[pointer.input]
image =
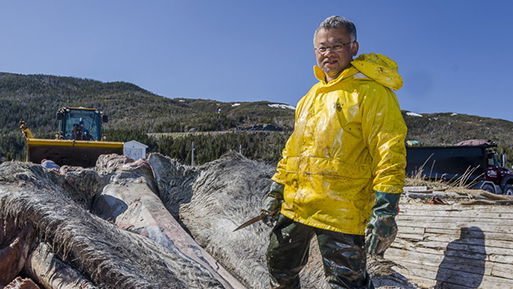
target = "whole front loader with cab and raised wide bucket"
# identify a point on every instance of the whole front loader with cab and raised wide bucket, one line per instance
(78, 140)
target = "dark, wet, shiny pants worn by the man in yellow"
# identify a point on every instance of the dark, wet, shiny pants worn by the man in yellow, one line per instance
(343, 255)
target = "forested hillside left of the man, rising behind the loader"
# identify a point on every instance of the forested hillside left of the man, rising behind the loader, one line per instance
(36, 99)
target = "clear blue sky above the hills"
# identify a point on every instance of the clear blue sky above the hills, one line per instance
(454, 56)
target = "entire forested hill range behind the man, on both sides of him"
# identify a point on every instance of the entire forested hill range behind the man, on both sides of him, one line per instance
(36, 99)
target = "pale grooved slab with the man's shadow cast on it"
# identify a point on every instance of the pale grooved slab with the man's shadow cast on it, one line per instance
(454, 246)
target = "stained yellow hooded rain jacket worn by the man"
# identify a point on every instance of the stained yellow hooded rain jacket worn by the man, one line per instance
(348, 141)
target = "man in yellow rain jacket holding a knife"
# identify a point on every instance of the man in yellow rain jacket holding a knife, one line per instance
(343, 166)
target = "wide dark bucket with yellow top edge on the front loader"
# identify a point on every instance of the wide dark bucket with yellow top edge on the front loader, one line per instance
(70, 152)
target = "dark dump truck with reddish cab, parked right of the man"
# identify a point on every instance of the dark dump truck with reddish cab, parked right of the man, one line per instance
(472, 161)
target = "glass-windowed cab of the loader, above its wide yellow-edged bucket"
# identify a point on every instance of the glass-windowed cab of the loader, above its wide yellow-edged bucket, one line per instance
(80, 124)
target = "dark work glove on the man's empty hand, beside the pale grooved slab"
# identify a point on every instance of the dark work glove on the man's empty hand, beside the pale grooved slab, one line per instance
(382, 228)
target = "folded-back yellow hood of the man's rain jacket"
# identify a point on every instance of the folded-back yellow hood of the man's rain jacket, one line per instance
(380, 68)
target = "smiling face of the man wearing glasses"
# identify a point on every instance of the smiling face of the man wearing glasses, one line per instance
(334, 62)
